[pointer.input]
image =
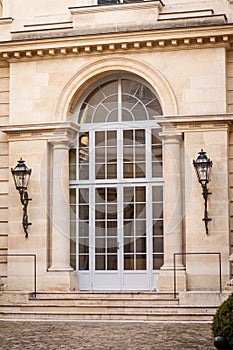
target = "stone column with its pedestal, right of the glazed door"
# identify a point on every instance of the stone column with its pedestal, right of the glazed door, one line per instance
(173, 239)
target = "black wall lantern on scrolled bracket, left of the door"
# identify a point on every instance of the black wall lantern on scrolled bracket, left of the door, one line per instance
(21, 175)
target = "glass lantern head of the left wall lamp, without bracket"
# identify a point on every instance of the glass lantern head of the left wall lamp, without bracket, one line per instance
(21, 174)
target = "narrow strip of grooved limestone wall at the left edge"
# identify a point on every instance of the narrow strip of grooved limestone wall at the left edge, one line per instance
(4, 170)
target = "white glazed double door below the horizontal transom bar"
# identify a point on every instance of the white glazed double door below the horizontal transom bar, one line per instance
(115, 240)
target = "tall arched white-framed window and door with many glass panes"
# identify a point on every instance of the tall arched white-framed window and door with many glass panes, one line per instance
(116, 187)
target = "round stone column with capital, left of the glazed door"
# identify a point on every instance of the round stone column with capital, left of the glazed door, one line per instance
(60, 212)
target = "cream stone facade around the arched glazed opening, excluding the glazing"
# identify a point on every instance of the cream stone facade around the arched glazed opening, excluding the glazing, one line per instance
(50, 55)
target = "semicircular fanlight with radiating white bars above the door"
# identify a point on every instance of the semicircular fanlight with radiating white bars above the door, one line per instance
(119, 100)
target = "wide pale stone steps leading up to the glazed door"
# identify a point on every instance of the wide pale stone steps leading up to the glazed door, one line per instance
(81, 306)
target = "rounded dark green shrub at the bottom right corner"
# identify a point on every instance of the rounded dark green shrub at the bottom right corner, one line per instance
(223, 321)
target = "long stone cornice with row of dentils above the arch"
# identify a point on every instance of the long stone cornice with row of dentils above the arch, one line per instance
(119, 42)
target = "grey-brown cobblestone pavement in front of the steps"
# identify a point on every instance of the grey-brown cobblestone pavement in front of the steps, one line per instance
(103, 335)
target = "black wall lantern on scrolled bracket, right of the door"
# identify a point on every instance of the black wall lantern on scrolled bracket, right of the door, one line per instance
(203, 167)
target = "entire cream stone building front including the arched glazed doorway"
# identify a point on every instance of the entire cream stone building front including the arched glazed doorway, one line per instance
(109, 102)
